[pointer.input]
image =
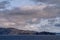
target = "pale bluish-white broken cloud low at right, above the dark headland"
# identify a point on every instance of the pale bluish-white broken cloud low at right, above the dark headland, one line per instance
(46, 25)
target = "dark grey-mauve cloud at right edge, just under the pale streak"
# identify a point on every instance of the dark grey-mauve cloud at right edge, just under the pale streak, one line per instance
(52, 10)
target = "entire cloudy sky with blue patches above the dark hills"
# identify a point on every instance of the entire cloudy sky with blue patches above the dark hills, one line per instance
(33, 15)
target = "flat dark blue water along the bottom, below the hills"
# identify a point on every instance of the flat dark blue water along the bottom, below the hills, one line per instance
(29, 37)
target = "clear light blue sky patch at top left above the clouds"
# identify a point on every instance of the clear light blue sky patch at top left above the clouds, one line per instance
(19, 3)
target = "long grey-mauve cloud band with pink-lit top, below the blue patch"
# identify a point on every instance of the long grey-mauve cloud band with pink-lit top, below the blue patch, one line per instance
(35, 11)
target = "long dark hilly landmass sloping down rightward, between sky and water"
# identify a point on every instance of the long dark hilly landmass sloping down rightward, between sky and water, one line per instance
(12, 31)
